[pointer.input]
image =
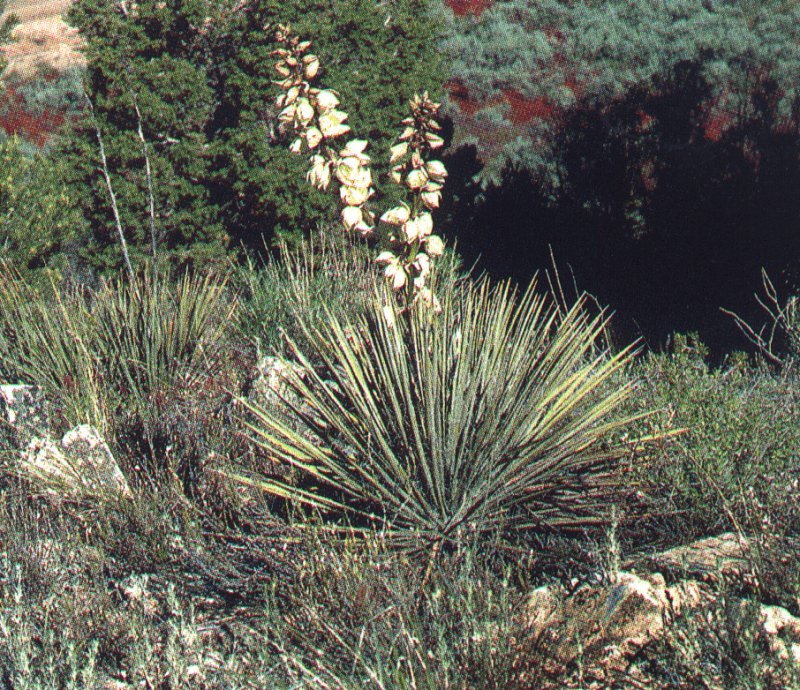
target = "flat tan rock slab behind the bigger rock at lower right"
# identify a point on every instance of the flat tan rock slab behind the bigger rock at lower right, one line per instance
(725, 556)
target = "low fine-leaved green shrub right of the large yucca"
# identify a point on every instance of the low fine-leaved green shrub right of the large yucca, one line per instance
(738, 456)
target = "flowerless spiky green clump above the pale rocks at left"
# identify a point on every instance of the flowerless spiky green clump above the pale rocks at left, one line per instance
(117, 349)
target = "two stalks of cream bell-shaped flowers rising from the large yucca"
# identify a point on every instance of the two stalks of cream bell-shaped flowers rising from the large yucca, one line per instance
(313, 115)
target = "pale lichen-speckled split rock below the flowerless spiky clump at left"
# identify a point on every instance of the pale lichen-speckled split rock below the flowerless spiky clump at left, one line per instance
(81, 465)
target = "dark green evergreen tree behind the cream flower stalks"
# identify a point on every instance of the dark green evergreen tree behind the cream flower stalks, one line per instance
(201, 75)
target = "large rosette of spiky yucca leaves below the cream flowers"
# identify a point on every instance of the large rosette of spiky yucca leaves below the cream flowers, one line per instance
(441, 430)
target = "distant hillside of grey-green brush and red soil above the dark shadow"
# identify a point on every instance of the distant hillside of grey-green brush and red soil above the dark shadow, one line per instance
(524, 64)
